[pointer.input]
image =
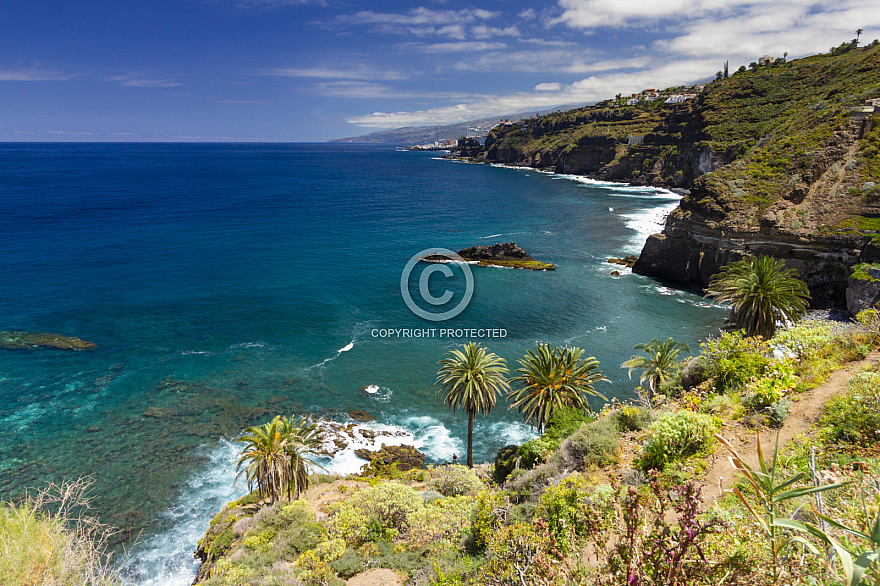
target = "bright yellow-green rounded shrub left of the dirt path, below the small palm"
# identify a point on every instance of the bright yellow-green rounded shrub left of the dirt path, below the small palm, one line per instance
(675, 436)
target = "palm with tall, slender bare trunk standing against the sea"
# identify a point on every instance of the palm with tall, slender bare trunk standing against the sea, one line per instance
(471, 380)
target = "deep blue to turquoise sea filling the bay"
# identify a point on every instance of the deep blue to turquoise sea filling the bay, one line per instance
(224, 284)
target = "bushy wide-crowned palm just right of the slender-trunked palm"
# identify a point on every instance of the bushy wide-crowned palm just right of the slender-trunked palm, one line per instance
(553, 378)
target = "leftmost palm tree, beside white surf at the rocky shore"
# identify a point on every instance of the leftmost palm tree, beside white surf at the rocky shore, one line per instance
(267, 460)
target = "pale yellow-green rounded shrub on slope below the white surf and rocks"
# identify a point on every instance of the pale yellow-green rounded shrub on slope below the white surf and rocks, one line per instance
(377, 511)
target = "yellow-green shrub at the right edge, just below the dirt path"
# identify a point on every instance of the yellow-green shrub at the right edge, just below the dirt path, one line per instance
(854, 418)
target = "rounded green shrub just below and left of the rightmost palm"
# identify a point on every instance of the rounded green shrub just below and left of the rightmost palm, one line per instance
(733, 360)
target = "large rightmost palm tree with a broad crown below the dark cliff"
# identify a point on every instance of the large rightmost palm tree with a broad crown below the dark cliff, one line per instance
(760, 292)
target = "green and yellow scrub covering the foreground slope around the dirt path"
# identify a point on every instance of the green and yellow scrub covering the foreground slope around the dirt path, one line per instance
(609, 498)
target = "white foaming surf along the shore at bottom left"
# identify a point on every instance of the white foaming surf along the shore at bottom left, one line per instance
(166, 559)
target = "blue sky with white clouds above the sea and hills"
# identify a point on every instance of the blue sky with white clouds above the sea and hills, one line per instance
(301, 70)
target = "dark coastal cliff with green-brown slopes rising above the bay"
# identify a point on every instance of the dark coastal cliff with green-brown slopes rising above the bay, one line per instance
(783, 160)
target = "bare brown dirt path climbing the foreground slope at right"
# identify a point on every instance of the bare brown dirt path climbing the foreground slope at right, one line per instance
(805, 411)
